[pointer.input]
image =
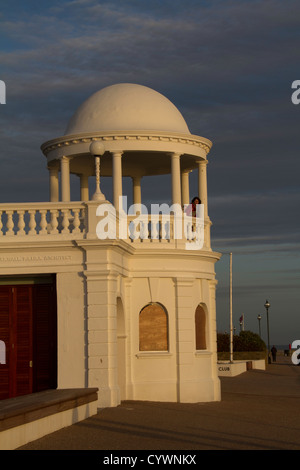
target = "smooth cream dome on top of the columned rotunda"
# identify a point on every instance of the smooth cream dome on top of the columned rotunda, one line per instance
(127, 107)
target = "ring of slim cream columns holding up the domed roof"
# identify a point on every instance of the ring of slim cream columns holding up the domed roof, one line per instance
(180, 181)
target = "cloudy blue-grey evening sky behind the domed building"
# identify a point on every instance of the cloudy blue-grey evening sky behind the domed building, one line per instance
(228, 66)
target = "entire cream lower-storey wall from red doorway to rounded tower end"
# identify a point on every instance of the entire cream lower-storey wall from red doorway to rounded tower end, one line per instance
(89, 333)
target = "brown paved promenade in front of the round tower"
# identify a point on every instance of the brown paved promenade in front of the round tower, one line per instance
(259, 411)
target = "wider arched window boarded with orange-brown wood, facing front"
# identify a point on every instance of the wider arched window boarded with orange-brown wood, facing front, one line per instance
(153, 328)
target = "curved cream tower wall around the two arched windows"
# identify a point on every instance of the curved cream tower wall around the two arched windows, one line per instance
(182, 373)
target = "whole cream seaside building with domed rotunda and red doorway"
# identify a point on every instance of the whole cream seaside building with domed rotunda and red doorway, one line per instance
(135, 318)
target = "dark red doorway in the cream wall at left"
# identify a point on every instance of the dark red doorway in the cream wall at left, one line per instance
(28, 329)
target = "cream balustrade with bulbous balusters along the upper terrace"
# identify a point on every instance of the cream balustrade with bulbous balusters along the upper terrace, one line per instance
(78, 220)
